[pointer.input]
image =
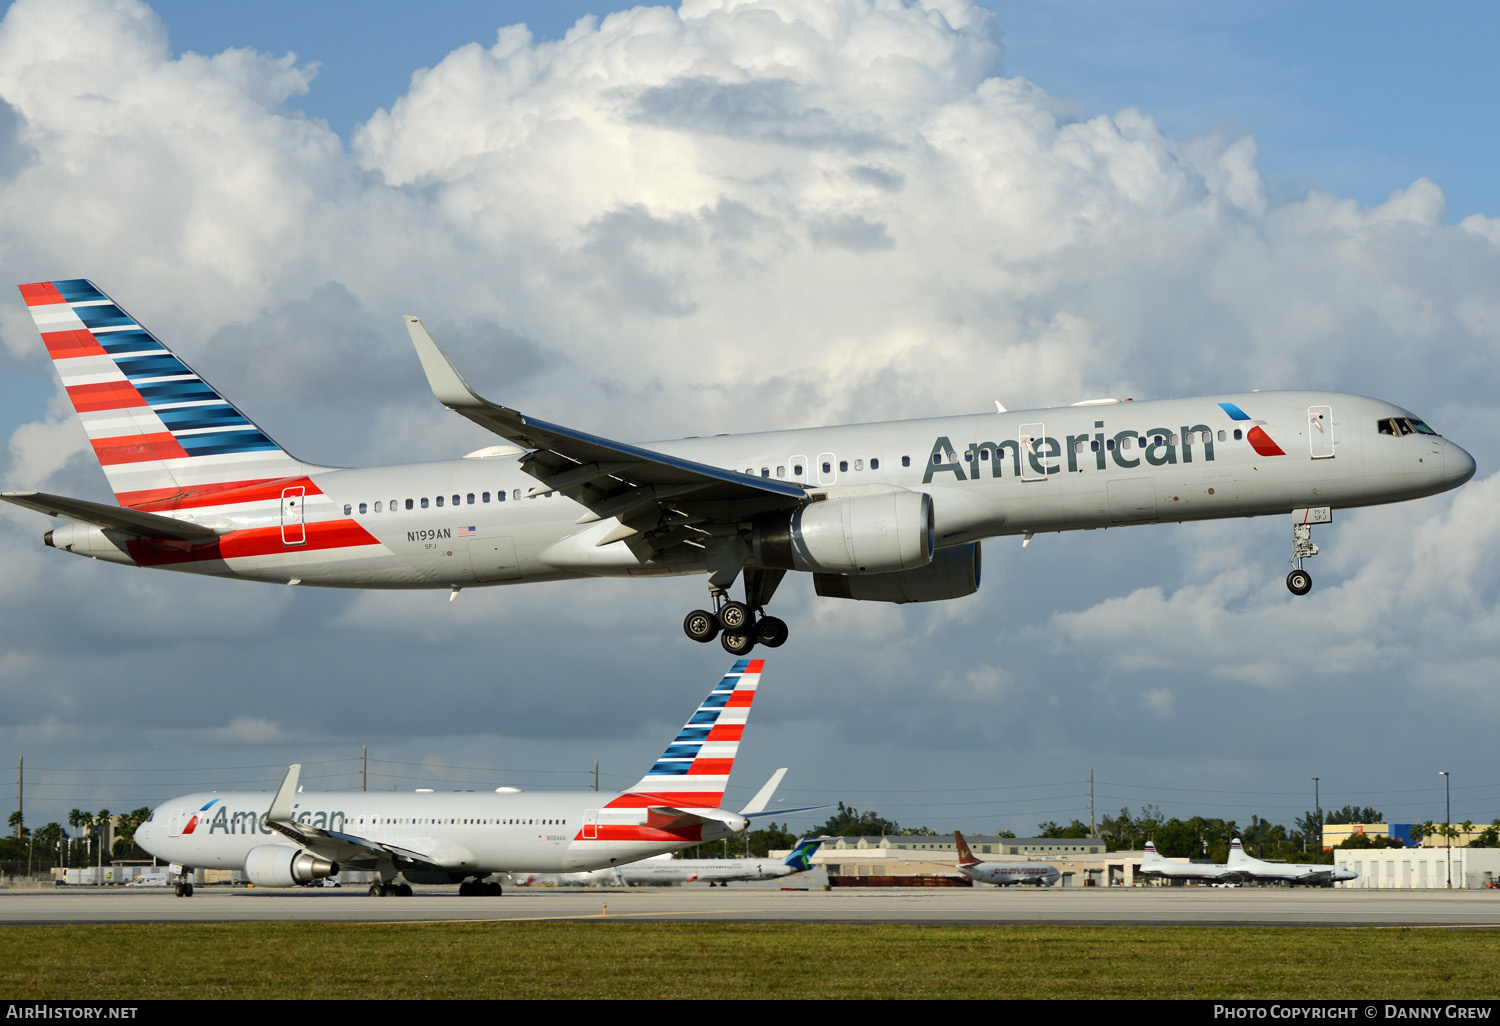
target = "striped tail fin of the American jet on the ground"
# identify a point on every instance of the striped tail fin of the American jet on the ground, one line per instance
(695, 767)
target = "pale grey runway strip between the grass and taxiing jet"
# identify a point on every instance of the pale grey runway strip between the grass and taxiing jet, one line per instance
(1121, 907)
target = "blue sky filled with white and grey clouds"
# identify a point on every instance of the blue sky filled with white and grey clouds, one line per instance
(889, 224)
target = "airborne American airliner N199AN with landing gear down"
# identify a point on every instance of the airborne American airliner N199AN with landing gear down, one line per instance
(886, 512)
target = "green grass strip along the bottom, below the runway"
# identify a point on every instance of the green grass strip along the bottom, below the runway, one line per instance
(740, 961)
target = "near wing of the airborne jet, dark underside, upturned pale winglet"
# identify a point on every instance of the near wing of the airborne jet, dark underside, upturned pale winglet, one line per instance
(646, 490)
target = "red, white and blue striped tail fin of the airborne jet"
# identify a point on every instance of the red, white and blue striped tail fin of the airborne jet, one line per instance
(163, 434)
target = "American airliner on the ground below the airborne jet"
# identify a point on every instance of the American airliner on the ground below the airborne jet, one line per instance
(458, 838)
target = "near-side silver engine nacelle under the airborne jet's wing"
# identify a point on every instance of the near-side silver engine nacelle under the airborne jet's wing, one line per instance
(877, 533)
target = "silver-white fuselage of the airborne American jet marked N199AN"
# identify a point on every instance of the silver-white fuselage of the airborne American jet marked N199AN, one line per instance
(484, 521)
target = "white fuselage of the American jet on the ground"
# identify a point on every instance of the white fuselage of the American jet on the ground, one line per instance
(467, 835)
